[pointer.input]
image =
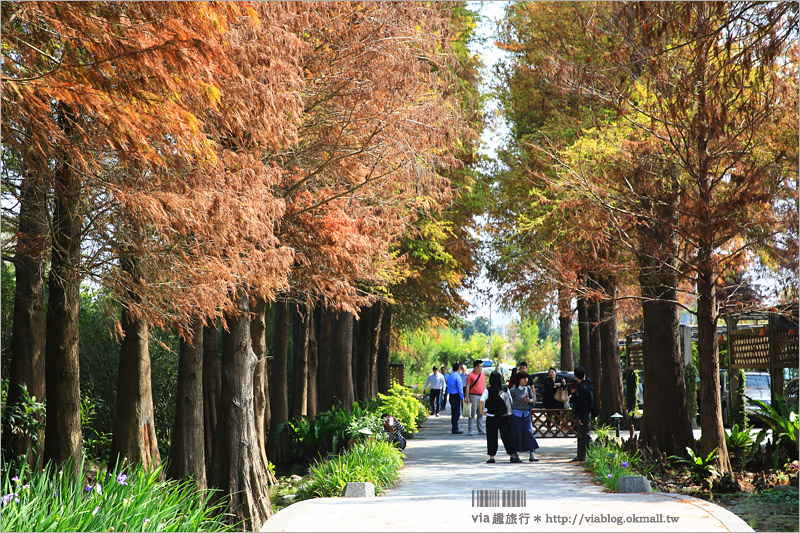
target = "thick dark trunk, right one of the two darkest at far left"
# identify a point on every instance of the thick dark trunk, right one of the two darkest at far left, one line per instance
(62, 370)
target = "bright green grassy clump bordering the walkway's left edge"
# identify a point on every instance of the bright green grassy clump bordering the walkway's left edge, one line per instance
(372, 460)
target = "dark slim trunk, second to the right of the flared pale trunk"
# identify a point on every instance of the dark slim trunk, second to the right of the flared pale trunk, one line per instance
(279, 450)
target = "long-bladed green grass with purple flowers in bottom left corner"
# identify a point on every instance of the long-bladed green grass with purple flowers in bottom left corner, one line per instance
(138, 501)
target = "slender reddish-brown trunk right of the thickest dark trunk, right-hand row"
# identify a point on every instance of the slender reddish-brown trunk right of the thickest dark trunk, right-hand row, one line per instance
(708, 356)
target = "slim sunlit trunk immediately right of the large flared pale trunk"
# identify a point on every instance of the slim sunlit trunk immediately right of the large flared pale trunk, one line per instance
(258, 339)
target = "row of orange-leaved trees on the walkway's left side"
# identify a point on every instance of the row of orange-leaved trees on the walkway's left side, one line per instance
(201, 161)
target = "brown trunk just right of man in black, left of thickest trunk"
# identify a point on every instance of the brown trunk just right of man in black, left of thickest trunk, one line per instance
(613, 399)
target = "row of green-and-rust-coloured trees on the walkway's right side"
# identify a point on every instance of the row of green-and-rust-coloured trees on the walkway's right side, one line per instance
(652, 158)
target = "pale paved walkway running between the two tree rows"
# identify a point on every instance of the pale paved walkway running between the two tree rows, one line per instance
(443, 470)
